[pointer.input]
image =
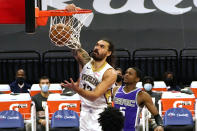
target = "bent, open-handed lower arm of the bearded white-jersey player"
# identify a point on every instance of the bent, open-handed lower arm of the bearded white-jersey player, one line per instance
(109, 79)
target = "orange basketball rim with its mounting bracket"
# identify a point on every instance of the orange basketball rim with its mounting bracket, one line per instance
(42, 16)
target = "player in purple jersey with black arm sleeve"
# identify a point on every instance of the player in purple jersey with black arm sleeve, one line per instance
(130, 100)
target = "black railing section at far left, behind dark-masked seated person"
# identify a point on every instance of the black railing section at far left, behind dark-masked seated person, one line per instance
(28, 60)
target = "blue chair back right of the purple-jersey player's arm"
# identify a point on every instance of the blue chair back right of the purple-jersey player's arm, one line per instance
(179, 119)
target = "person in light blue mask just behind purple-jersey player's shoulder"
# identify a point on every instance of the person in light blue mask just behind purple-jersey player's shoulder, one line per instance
(148, 84)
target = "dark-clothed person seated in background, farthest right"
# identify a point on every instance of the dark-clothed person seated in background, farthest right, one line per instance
(171, 82)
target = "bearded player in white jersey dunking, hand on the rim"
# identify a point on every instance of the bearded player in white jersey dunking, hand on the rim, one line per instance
(96, 79)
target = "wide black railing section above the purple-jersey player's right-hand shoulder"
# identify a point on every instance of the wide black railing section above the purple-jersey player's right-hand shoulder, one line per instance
(154, 62)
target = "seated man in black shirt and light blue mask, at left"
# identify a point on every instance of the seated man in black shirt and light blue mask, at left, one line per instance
(40, 102)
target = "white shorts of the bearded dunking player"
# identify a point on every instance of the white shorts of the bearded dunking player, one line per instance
(89, 120)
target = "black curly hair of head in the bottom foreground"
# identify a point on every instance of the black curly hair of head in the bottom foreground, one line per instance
(111, 119)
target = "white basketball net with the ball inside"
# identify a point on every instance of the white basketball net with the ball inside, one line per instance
(65, 30)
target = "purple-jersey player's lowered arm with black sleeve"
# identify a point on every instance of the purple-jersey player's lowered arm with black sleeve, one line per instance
(145, 99)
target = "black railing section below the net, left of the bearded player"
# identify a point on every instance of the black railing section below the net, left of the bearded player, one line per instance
(59, 65)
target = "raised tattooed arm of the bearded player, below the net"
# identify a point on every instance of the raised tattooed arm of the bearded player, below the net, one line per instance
(81, 56)
